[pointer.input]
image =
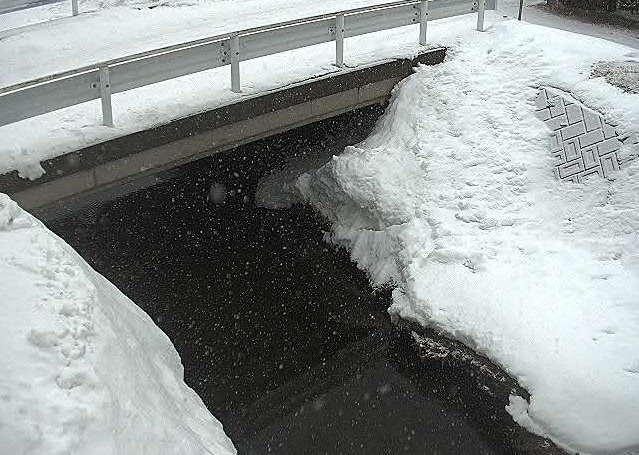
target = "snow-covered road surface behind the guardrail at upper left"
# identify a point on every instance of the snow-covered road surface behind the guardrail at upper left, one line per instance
(73, 42)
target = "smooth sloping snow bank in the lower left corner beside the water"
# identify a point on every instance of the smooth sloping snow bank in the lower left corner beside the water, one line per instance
(84, 370)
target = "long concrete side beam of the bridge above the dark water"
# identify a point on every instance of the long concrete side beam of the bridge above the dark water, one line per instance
(142, 154)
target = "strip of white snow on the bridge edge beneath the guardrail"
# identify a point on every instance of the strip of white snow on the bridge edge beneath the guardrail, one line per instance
(24, 144)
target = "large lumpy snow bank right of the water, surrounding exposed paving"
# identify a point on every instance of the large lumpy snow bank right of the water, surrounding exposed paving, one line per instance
(453, 200)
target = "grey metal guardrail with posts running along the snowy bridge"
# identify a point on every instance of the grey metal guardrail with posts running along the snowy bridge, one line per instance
(100, 81)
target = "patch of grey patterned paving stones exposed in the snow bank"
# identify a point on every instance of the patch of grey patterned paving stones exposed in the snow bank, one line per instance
(582, 143)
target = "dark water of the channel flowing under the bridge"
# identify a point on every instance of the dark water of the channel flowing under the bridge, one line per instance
(279, 333)
